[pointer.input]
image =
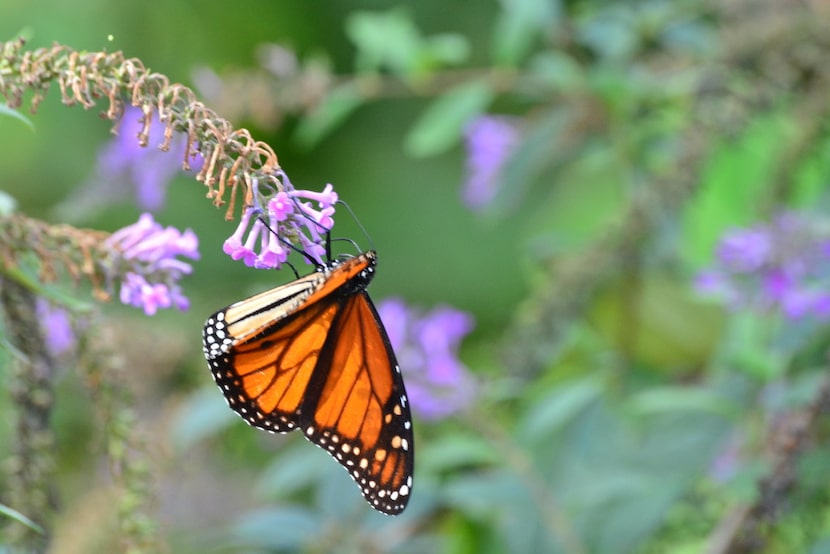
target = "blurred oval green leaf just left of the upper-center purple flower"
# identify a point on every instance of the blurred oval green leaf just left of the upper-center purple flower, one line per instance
(442, 122)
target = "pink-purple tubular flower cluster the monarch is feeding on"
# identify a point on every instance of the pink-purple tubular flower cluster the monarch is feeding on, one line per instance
(290, 217)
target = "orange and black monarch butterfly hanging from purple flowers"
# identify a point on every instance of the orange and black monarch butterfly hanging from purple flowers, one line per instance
(313, 355)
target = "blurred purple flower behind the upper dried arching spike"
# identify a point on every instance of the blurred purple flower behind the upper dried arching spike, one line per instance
(124, 166)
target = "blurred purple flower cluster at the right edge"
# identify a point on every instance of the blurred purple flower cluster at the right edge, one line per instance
(781, 266)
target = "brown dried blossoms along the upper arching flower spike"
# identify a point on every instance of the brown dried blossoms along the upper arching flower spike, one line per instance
(232, 156)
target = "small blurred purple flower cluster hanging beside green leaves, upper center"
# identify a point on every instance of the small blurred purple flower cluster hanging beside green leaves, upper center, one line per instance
(489, 141)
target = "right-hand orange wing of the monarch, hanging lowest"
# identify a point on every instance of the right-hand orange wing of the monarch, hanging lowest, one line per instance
(361, 414)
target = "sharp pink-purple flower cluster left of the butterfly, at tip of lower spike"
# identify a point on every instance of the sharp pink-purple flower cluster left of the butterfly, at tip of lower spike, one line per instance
(145, 257)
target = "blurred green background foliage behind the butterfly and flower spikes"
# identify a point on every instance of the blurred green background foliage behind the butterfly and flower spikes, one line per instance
(648, 282)
